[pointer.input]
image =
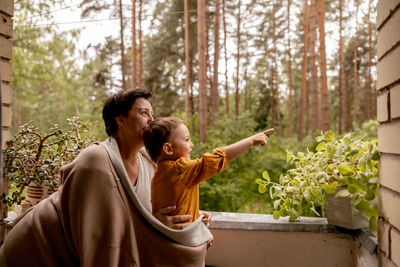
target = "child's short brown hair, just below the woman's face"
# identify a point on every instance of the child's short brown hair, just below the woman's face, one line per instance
(157, 133)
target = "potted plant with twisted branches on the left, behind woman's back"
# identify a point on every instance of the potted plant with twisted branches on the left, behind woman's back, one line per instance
(32, 160)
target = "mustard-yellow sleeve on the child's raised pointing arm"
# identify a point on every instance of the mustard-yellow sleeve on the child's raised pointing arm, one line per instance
(199, 170)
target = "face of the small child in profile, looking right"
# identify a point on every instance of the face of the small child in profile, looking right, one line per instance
(180, 142)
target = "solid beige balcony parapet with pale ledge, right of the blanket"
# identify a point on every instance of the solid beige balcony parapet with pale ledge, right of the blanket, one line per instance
(259, 240)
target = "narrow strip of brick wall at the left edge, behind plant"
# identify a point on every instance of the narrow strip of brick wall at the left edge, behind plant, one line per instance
(6, 26)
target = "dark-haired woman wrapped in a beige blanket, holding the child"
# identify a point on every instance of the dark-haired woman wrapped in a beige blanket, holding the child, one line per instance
(100, 215)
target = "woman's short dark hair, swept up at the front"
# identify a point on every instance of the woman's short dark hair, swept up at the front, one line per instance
(119, 104)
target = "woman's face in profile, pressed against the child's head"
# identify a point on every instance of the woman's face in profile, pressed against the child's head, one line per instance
(139, 116)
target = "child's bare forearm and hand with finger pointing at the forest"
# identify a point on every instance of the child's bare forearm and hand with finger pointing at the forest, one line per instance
(238, 148)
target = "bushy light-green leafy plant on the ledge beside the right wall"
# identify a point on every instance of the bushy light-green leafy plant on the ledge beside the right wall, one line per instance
(340, 169)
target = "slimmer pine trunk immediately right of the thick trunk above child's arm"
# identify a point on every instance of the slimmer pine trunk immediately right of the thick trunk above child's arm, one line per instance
(215, 84)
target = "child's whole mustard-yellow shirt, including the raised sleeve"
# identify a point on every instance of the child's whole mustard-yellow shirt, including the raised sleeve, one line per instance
(176, 183)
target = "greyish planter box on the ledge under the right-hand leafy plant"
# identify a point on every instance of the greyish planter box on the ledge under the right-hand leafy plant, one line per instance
(340, 212)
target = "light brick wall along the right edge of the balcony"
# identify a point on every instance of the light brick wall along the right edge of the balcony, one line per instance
(388, 114)
